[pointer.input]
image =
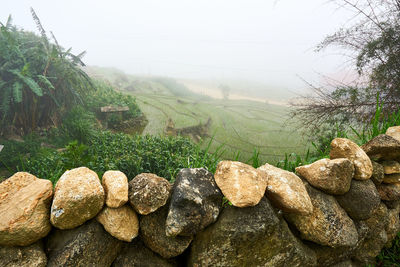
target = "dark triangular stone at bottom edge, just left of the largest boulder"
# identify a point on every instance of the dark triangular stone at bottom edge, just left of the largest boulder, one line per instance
(137, 254)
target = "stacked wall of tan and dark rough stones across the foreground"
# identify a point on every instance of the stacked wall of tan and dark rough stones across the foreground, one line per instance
(334, 212)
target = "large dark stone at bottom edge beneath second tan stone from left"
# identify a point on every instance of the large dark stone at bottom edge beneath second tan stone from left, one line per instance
(86, 245)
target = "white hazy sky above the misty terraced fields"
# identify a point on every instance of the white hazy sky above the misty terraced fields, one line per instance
(262, 40)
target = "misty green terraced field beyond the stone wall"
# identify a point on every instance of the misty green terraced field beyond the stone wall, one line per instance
(239, 126)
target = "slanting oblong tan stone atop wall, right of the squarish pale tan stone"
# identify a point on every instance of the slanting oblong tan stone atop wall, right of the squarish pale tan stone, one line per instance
(286, 190)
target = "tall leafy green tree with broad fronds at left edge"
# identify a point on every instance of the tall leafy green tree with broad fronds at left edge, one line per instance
(39, 80)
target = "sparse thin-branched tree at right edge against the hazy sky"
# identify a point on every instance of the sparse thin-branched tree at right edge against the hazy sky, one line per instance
(372, 42)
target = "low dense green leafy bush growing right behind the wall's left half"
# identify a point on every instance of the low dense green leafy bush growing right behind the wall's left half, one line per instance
(164, 156)
